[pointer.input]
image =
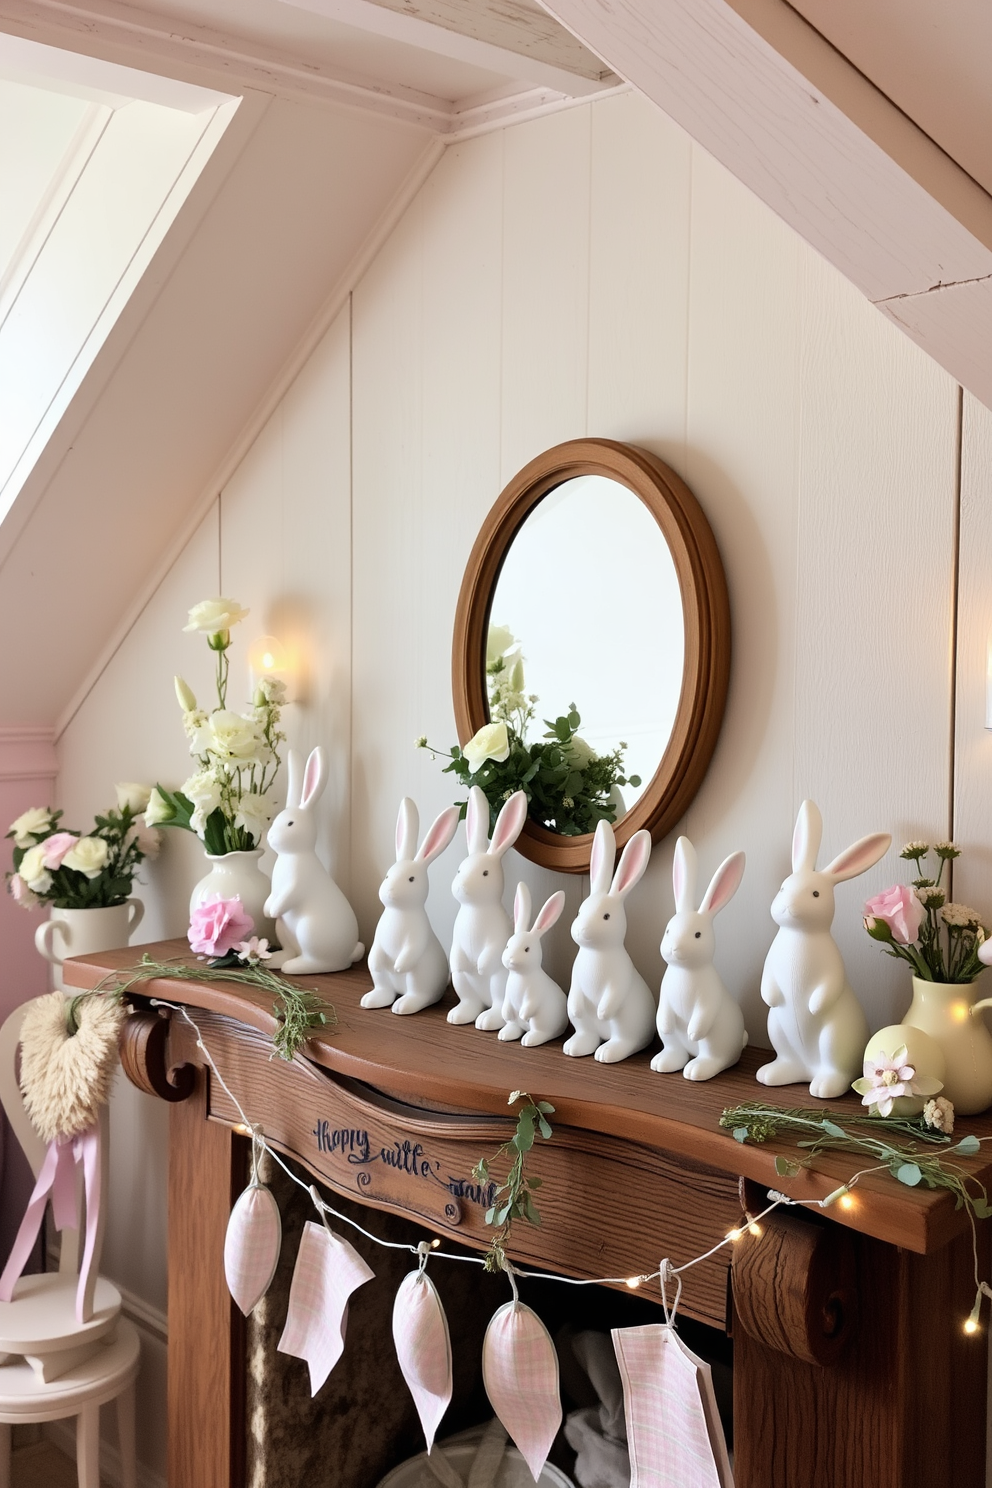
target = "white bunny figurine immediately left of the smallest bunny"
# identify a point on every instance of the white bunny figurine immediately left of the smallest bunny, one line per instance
(483, 926)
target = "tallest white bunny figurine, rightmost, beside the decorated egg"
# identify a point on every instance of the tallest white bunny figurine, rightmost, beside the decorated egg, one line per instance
(816, 1023)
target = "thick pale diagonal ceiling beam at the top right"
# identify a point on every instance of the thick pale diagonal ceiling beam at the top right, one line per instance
(759, 89)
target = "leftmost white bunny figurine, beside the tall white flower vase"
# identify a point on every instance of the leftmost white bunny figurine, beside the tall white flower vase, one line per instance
(316, 925)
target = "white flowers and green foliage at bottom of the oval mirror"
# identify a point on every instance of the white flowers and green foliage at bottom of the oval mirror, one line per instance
(569, 786)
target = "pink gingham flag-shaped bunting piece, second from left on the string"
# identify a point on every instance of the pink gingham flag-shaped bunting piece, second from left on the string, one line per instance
(328, 1271)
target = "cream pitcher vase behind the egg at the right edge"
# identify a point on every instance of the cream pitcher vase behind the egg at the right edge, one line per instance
(953, 1017)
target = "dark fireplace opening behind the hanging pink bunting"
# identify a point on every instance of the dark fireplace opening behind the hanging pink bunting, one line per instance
(364, 1422)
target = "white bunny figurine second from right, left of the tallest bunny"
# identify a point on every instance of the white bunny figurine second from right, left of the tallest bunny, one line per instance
(701, 1026)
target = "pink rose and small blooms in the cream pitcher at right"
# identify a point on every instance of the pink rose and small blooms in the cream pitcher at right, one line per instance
(918, 925)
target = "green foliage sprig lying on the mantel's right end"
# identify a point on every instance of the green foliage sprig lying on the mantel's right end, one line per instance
(828, 1132)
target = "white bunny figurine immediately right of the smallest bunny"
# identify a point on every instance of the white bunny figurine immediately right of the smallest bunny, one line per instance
(609, 999)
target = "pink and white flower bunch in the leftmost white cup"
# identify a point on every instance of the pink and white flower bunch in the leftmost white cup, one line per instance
(56, 867)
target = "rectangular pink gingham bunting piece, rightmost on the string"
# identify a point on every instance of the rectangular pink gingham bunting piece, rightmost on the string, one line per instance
(674, 1431)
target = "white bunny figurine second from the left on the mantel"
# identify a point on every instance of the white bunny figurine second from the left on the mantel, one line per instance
(408, 965)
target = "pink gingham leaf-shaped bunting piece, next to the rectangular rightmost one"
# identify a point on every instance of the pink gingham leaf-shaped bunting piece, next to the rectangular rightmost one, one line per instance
(520, 1368)
